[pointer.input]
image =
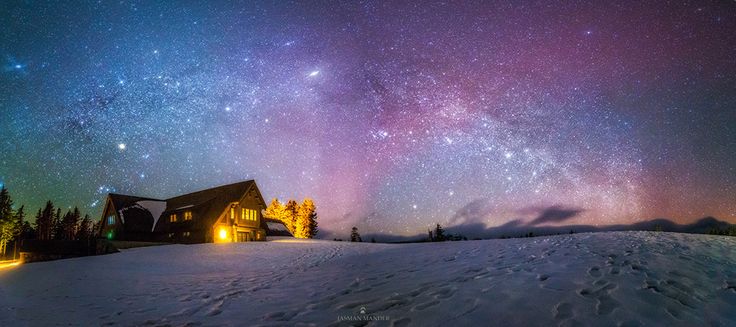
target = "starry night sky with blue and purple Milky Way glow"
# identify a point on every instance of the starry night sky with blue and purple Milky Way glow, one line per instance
(391, 116)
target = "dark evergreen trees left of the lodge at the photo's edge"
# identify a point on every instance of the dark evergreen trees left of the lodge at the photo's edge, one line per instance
(50, 223)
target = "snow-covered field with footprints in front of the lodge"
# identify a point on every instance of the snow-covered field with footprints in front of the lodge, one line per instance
(603, 279)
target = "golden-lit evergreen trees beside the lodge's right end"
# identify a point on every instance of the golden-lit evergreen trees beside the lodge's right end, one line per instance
(300, 219)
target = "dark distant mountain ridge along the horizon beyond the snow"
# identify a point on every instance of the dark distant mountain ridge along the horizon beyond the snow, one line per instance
(517, 228)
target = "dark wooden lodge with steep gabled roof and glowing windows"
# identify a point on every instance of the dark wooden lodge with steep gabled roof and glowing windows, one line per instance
(228, 213)
